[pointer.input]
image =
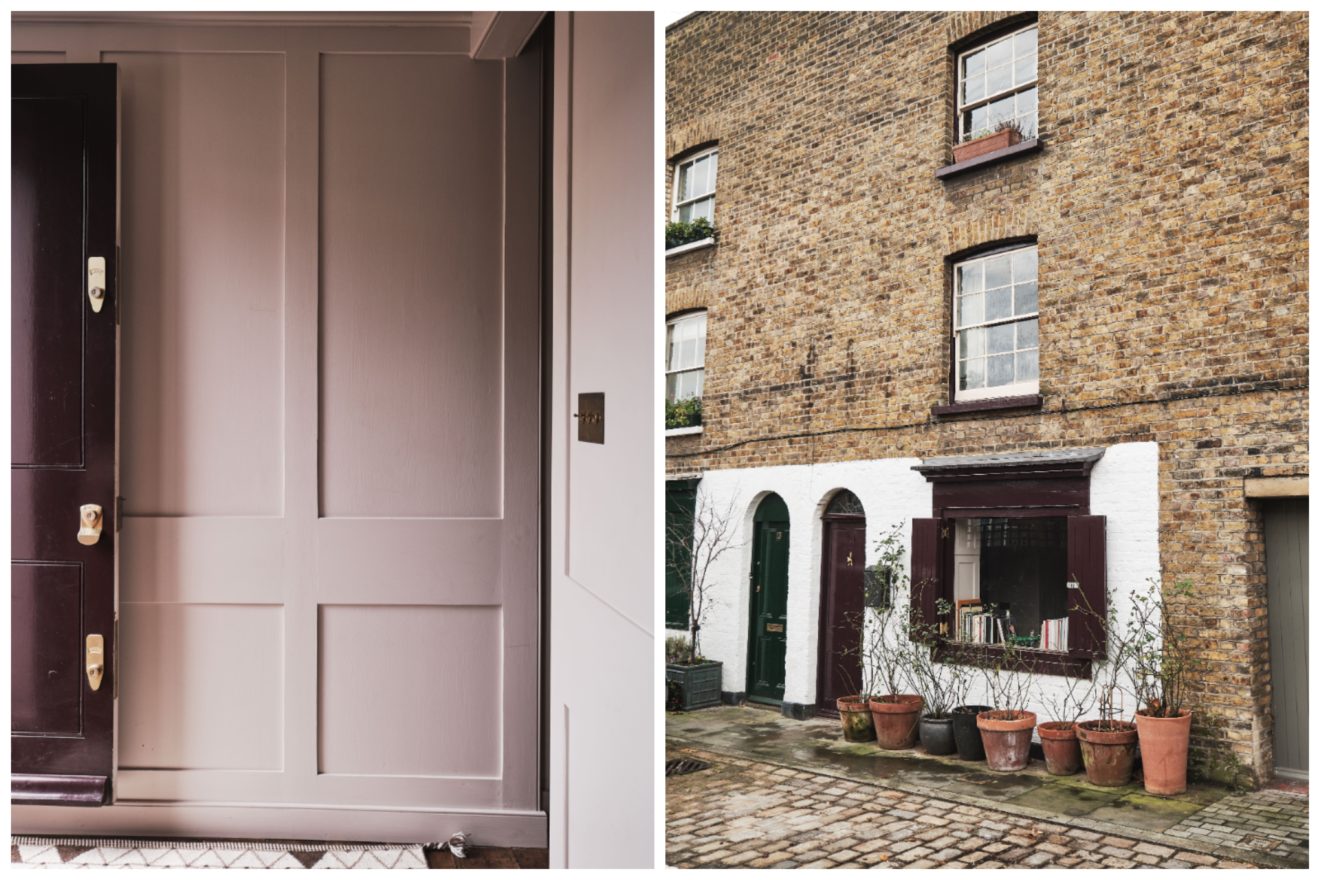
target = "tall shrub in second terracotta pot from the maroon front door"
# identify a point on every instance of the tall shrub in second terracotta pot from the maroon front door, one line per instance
(889, 651)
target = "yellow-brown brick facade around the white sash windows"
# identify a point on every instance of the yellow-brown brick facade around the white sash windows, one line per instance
(1170, 209)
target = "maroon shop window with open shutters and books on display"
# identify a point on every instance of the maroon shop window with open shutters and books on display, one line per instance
(1017, 557)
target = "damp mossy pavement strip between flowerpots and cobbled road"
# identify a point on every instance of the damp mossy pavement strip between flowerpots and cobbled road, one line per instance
(1265, 828)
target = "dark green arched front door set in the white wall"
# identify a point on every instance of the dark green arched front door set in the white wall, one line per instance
(769, 637)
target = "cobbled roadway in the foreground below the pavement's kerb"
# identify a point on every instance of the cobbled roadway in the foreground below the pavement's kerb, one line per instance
(746, 813)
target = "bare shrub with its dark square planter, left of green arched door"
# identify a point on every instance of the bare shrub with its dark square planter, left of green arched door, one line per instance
(691, 680)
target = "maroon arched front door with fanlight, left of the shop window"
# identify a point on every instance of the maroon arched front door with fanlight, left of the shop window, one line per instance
(839, 668)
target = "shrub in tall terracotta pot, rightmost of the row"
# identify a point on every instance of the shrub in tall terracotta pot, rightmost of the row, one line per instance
(1161, 666)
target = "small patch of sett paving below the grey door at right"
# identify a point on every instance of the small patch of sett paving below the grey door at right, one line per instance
(1270, 821)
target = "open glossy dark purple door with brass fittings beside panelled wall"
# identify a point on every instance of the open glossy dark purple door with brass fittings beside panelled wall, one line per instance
(63, 435)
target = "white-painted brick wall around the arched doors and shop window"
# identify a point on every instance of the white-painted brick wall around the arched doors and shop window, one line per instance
(1124, 489)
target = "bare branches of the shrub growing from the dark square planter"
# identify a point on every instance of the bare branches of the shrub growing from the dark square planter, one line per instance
(691, 556)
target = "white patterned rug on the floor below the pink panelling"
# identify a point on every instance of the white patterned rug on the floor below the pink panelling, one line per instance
(101, 853)
